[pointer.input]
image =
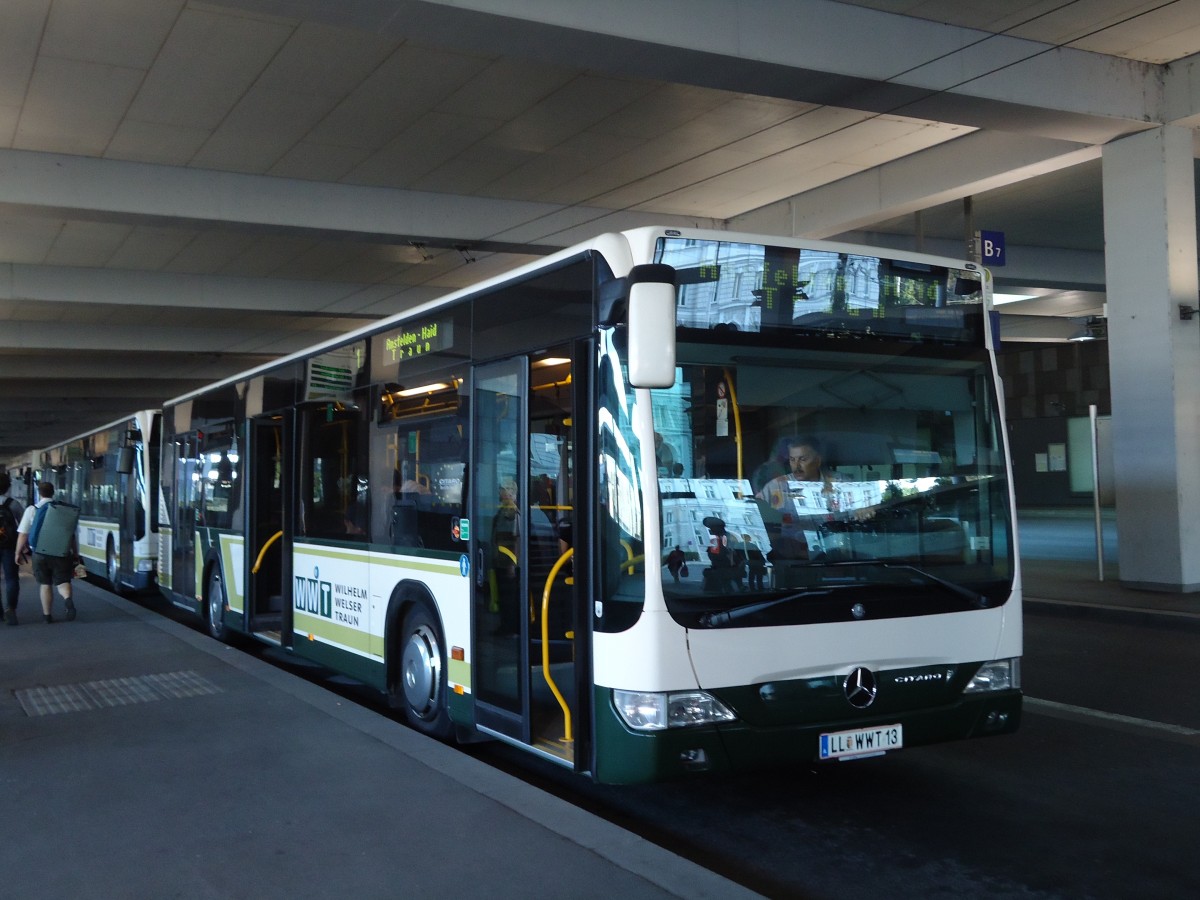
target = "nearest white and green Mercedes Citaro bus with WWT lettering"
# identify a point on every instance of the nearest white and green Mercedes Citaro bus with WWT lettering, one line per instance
(472, 507)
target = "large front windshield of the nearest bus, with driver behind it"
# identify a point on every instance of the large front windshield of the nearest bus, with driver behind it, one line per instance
(826, 477)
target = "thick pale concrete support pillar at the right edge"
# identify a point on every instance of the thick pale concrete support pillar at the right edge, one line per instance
(1150, 233)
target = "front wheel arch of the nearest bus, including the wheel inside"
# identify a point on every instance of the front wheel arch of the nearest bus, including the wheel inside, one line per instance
(417, 662)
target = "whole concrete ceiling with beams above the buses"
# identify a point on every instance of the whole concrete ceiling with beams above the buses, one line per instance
(190, 189)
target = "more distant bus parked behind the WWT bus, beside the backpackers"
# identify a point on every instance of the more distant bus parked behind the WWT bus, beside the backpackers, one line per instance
(112, 475)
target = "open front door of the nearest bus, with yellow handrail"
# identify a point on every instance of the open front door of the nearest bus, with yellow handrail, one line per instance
(526, 603)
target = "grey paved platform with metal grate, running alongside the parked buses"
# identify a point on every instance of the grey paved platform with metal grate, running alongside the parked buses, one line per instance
(141, 759)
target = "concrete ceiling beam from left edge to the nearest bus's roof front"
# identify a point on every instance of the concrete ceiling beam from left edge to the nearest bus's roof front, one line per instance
(137, 193)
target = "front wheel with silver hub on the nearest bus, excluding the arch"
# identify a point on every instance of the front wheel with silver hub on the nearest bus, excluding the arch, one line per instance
(422, 687)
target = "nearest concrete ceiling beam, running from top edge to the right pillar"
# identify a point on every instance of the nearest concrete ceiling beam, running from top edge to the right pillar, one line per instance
(809, 51)
